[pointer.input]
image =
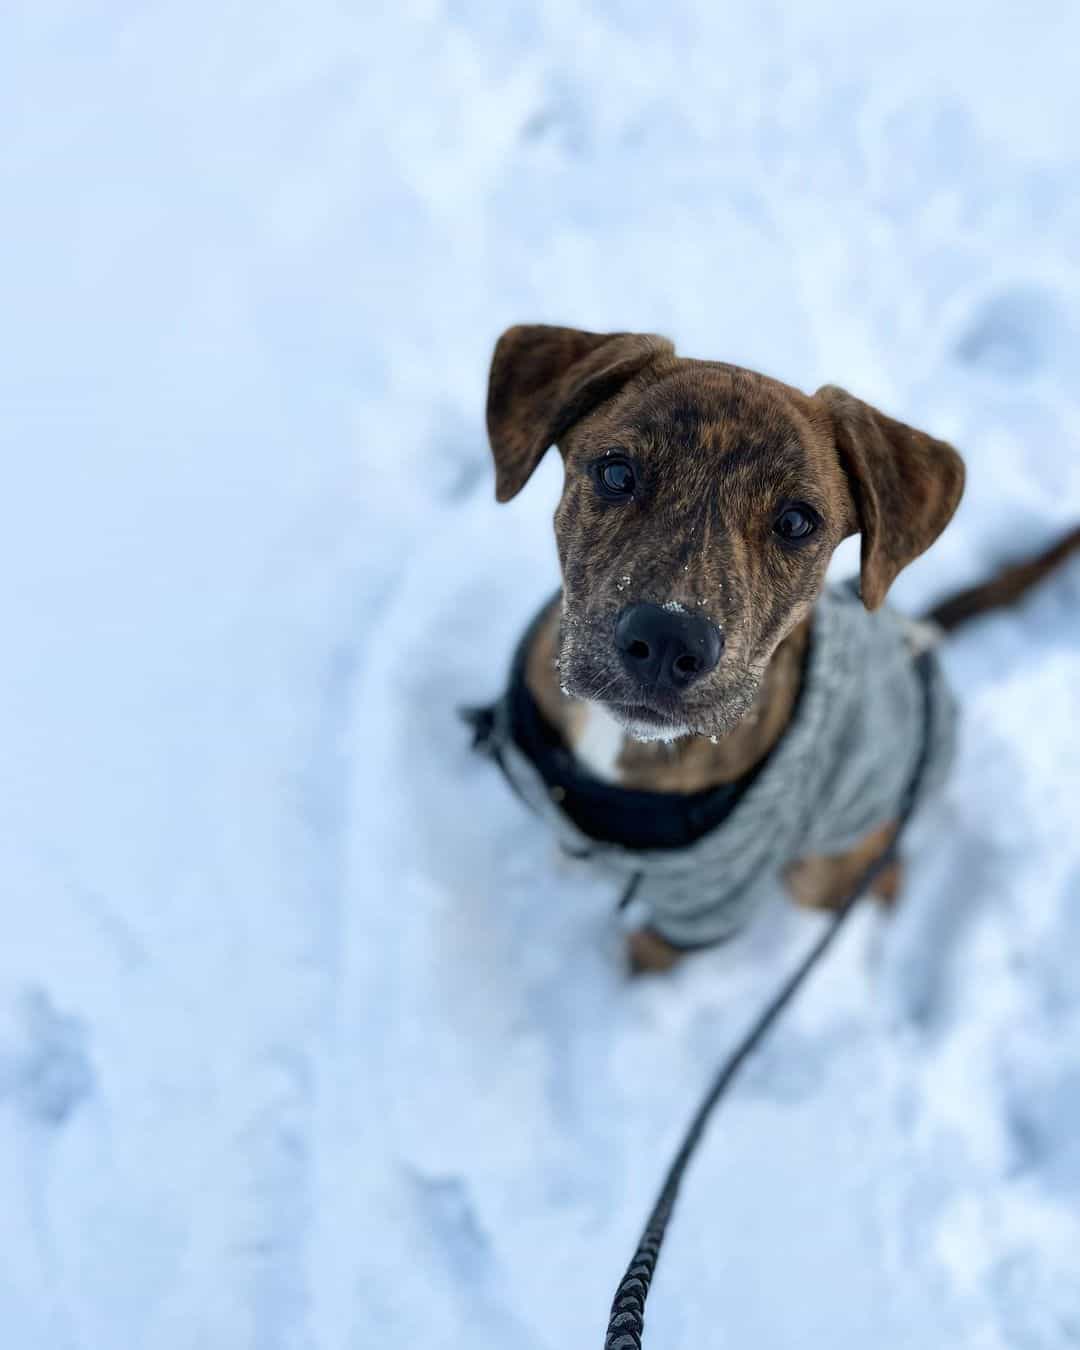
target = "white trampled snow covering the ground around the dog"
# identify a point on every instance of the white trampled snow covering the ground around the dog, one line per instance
(306, 1042)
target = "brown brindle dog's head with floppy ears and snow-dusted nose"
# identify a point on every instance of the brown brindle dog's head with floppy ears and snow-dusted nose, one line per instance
(703, 504)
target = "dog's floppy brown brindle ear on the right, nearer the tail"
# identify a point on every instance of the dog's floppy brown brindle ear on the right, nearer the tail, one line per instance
(905, 484)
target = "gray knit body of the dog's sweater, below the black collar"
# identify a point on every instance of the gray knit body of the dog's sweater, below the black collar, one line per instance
(842, 769)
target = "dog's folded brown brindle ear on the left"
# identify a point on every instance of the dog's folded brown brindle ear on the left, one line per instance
(543, 380)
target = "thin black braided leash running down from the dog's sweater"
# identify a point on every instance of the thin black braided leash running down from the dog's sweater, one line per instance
(628, 1307)
